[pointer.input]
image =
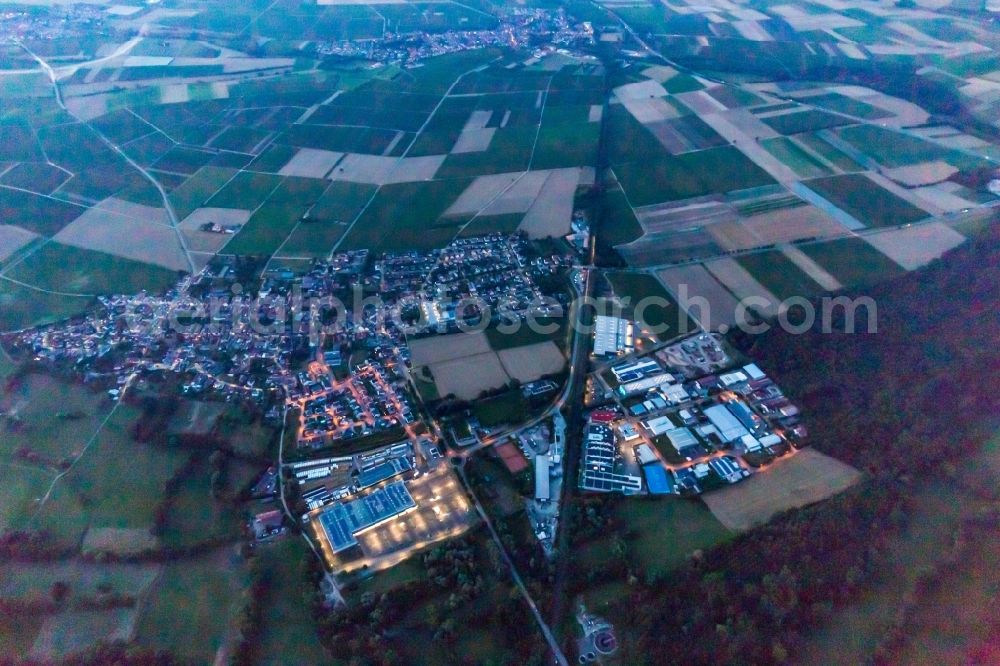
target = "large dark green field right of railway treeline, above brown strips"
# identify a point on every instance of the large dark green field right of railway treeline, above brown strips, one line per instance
(712, 171)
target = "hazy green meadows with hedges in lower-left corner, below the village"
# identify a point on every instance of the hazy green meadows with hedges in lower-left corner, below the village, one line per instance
(63, 448)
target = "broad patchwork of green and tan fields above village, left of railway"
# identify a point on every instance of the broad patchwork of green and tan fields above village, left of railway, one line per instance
(292, 161)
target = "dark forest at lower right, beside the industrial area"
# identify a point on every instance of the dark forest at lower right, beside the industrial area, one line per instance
(902, 404)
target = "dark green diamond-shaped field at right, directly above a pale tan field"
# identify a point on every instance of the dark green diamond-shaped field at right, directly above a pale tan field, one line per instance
(861, 198)
